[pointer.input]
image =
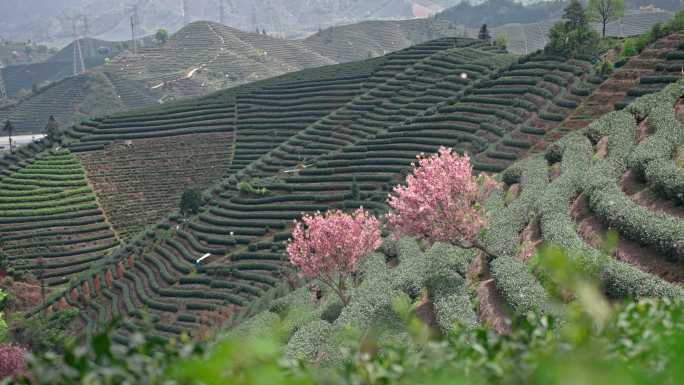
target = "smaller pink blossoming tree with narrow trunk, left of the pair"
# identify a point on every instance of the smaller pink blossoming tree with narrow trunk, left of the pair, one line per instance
(328, 246)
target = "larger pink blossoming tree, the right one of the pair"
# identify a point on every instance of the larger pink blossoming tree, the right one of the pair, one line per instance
(441, 200)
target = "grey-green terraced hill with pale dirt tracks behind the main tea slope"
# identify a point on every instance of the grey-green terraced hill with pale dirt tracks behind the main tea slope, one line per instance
(200, 58)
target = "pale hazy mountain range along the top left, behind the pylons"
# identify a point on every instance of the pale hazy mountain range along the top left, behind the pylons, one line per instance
(108, 20)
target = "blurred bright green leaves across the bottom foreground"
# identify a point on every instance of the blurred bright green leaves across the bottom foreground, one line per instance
(637, 343)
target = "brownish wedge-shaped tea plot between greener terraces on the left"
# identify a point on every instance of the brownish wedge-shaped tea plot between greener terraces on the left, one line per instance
(132, 197)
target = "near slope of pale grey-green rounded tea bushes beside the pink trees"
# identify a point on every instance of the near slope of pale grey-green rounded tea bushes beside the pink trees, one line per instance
(570, 196)
